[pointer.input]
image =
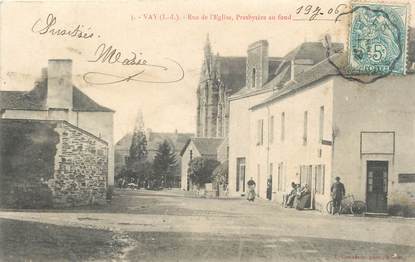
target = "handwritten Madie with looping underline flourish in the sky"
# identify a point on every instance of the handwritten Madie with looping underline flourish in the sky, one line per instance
(110, 55)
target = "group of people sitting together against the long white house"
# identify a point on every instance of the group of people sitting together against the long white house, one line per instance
(299, 197)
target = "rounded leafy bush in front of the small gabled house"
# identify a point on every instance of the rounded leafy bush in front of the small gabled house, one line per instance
(201, 170)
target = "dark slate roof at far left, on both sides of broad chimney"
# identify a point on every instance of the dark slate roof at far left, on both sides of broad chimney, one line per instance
(35, 99)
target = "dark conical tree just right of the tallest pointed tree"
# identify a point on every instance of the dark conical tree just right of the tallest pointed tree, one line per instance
(164, 164)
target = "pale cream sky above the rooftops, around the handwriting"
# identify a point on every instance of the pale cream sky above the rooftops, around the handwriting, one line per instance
(165, 106)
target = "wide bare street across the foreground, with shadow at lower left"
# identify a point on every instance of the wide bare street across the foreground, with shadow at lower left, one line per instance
(170, 225)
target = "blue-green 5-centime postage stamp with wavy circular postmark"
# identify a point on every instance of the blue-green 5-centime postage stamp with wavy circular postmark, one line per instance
(378, 39)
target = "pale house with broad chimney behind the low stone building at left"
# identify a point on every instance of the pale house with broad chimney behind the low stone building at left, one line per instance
(54, 97)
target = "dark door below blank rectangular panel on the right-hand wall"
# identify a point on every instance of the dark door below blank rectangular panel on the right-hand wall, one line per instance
(377, 186)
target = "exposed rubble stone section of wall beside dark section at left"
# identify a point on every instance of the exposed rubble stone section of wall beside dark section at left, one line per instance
(81, 170)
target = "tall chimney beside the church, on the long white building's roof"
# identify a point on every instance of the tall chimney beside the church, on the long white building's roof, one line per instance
(257, 64)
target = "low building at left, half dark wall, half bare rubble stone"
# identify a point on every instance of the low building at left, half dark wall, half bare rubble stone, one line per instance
(50, 163)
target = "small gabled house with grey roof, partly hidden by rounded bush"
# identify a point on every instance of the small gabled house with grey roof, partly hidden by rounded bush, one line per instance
(197, 147)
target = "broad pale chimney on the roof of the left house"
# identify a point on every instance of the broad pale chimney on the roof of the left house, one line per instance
(59, 76)
